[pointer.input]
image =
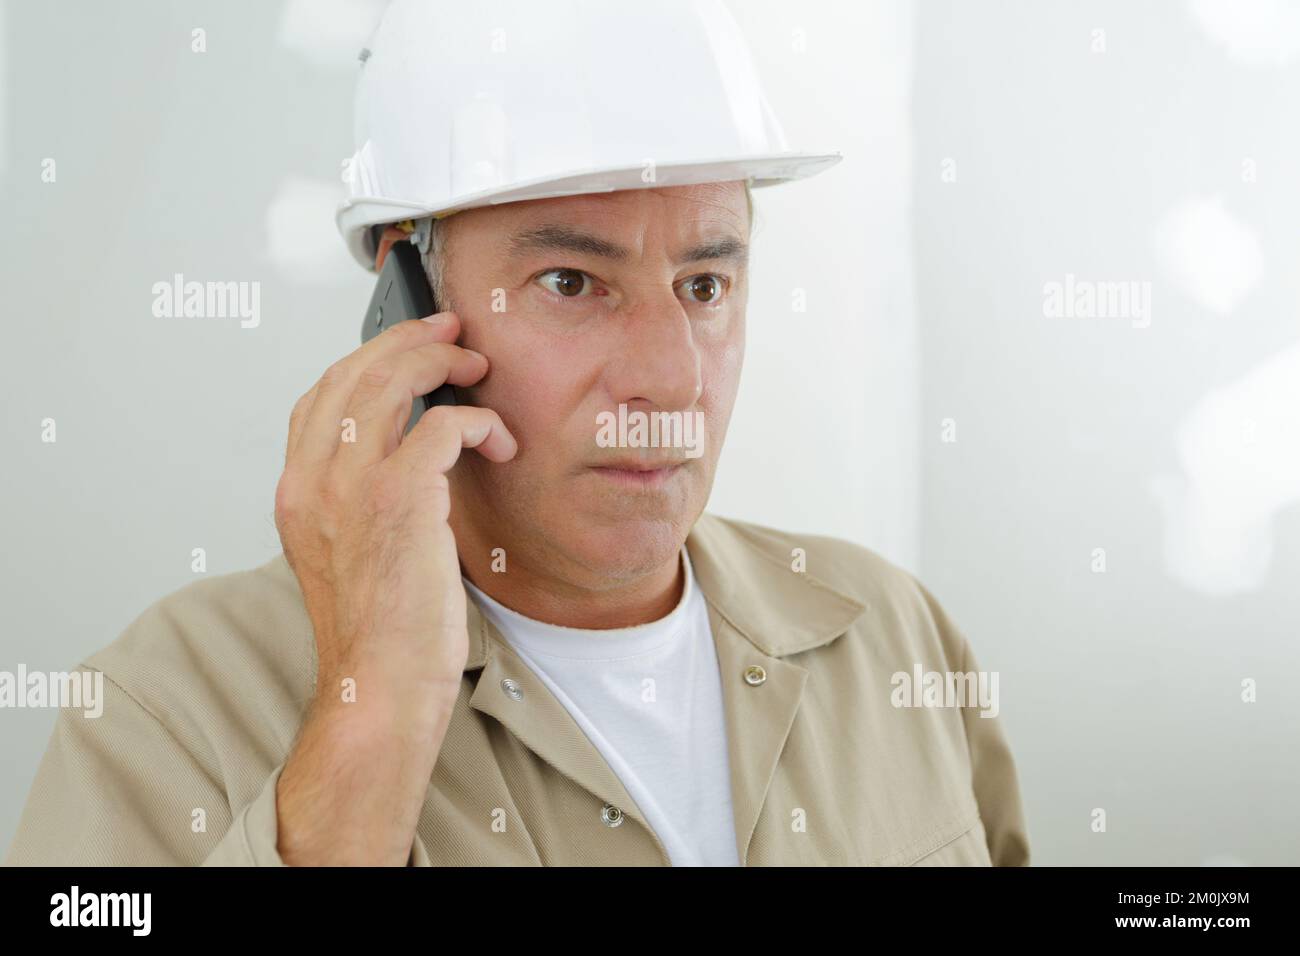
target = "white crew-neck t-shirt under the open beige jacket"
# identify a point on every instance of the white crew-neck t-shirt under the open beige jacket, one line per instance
(651, 700)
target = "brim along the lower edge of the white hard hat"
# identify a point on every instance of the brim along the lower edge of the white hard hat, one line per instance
(356, 217)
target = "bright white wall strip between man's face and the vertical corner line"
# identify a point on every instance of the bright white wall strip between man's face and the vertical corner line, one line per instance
(825, 438)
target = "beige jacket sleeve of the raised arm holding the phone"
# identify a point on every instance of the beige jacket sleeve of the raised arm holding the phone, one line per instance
(122, 790)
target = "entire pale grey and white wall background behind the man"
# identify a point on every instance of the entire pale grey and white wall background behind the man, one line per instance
(1175, 448)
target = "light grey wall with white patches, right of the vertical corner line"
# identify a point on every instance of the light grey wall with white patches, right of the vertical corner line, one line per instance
(1173, 447)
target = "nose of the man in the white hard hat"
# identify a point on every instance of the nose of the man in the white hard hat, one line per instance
(657, 360)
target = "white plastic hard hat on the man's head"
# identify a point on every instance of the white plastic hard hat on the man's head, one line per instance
(463, 105)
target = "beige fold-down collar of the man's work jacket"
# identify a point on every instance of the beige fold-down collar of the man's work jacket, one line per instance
(751, 583)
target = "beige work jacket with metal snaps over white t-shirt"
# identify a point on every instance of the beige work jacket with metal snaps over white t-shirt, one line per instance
(205, 693)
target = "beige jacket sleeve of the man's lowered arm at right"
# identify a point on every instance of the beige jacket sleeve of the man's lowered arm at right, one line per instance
(994, 777)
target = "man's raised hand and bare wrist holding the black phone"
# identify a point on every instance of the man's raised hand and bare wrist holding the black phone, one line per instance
(363, 518)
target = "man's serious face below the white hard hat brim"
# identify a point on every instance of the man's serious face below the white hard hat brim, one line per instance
(582, 305)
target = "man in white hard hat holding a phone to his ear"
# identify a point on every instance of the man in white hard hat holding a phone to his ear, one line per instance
(513, 637)
